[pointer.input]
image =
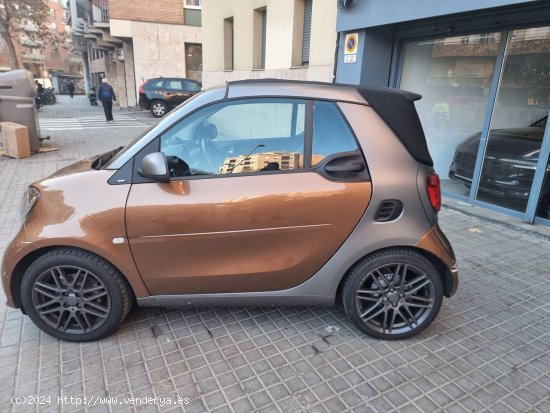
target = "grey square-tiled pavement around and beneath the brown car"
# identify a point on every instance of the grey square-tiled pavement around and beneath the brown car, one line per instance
(488, 350)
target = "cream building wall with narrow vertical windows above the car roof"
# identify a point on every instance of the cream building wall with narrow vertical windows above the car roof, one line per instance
(248, 39)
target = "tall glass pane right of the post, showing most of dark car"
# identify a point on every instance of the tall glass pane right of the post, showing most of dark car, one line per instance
(518, 122)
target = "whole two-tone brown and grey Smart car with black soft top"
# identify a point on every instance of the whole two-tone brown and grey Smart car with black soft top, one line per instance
(253, 193)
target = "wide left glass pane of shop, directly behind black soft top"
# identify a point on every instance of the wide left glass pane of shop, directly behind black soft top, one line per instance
(453, 75)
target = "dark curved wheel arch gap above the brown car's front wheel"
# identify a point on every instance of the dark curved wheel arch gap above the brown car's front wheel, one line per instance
(25, 262)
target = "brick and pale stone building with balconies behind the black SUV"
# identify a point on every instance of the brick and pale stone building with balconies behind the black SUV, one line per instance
(131, 42)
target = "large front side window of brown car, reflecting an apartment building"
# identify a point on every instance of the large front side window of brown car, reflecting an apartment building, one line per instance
(238, 136)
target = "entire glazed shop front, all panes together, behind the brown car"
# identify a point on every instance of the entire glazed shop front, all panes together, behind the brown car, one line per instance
(455, 75)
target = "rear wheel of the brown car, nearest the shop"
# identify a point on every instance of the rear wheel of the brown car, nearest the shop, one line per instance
(393, 294)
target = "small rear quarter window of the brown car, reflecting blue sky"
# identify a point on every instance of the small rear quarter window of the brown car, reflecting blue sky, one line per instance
(331, 134)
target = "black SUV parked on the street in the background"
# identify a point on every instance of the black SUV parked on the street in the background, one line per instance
(160, 95)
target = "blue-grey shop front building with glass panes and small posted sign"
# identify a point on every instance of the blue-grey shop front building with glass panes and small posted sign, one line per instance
(483, 69)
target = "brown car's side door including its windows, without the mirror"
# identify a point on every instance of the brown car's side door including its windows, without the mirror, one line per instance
(248, 208)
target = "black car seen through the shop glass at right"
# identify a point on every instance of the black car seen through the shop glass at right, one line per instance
(510, 163)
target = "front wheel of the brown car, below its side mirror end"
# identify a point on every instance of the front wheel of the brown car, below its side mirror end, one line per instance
(74, 295)
